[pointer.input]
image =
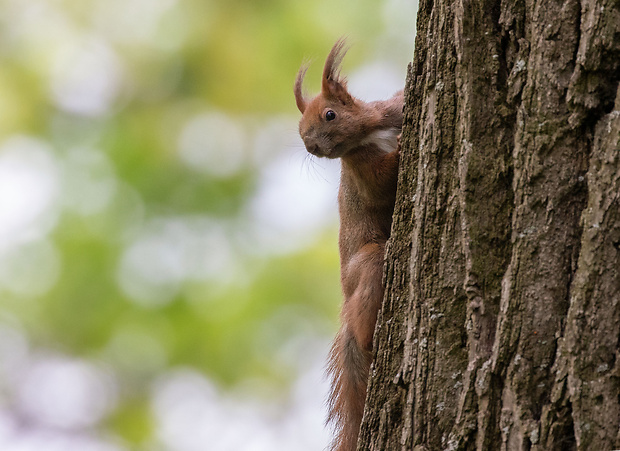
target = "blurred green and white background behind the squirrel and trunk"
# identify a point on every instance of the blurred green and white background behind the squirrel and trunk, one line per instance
(168, 250)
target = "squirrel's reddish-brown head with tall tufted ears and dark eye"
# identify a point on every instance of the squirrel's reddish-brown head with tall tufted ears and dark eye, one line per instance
(334, 121)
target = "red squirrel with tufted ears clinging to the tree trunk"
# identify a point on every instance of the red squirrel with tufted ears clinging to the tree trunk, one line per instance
(365, 136)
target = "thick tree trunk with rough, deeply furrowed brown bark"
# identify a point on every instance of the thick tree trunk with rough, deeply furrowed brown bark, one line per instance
(500, 326)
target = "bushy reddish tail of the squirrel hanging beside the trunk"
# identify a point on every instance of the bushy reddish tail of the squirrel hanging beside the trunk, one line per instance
(348, 367)
